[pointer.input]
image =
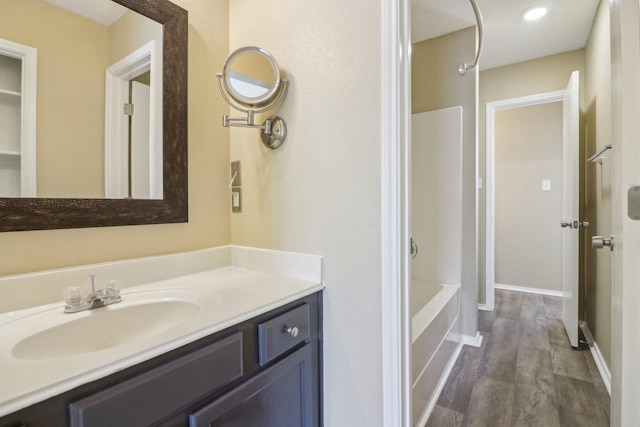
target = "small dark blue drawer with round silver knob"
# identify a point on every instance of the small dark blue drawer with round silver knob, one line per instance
(282, 333)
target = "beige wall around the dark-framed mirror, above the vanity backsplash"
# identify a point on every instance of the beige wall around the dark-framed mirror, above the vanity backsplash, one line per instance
(208, 175)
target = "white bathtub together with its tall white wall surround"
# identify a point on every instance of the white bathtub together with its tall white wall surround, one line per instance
(437, 286)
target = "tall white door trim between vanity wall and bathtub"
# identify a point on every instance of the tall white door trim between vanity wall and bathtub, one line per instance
(395, 128)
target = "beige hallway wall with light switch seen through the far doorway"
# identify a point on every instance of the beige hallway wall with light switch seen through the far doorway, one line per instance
(528, 240)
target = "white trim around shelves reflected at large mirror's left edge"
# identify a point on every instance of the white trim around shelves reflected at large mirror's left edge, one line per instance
(28, 97)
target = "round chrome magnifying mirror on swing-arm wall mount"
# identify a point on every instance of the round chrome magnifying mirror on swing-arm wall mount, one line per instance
(251, 82)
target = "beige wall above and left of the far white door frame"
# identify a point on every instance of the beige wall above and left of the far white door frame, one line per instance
(546, 74)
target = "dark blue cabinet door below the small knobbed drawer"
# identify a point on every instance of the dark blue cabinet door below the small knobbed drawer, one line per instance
(280, 396)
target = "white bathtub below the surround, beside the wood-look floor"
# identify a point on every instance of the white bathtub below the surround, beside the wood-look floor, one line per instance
(436, 343)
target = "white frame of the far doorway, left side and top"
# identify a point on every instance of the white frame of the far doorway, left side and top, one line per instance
(490, 133)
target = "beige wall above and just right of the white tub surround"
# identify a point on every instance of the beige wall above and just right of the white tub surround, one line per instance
(436, 84)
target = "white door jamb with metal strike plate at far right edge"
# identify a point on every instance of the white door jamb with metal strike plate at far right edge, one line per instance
(625, 292)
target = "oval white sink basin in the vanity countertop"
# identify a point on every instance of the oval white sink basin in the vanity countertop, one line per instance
(104, 328)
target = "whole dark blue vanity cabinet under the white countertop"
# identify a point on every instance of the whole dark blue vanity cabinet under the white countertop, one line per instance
(262, 372)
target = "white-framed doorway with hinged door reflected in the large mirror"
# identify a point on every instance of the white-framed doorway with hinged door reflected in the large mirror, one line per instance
(133, 134)
